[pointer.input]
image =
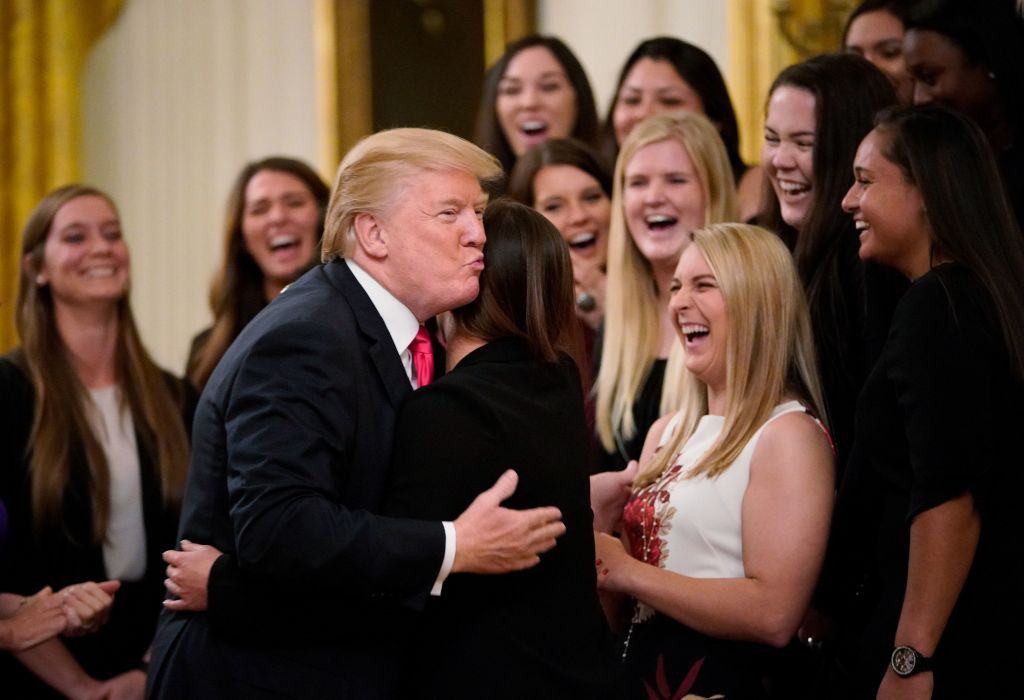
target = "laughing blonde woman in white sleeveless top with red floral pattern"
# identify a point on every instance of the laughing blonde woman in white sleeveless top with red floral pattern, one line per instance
(730, 515)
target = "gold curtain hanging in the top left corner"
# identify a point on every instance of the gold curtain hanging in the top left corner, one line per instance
(44, 47)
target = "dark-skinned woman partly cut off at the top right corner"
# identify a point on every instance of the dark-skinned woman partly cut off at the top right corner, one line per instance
(970, 57)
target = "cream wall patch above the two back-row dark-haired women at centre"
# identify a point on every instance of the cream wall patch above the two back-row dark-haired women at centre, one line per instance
(603, 33)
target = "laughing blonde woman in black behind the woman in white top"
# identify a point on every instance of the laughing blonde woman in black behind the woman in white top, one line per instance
(672, 178)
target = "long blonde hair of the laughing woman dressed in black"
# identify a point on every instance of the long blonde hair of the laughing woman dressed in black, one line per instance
(632, 308)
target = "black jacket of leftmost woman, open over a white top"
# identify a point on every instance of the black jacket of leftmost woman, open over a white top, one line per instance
(62, 556)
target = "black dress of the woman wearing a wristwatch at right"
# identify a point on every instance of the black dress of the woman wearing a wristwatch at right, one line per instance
(940, 416)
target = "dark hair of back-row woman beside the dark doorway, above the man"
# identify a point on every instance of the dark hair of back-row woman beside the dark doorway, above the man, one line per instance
(489, 135)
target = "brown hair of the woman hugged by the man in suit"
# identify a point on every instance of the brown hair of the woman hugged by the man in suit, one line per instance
(527, 288)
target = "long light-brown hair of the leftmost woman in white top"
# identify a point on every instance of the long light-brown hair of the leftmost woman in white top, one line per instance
(61, 425)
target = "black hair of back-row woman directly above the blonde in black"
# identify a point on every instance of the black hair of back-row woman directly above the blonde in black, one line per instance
(700, 71)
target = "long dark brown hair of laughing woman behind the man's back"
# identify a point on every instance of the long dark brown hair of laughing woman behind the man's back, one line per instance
(237, 293)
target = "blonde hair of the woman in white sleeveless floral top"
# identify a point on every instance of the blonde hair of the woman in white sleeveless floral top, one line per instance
(770, 348)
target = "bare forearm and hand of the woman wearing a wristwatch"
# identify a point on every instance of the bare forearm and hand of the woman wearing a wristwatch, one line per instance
(944, 541)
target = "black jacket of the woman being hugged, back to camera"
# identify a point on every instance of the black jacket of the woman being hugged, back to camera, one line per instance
(534, 634)
